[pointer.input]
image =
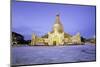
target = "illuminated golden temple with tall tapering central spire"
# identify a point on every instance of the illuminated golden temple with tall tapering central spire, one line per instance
(57, 36)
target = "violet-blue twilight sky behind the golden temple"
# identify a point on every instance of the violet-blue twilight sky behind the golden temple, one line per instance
(38, 18)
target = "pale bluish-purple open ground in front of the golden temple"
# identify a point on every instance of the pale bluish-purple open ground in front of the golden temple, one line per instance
(52, 54)
